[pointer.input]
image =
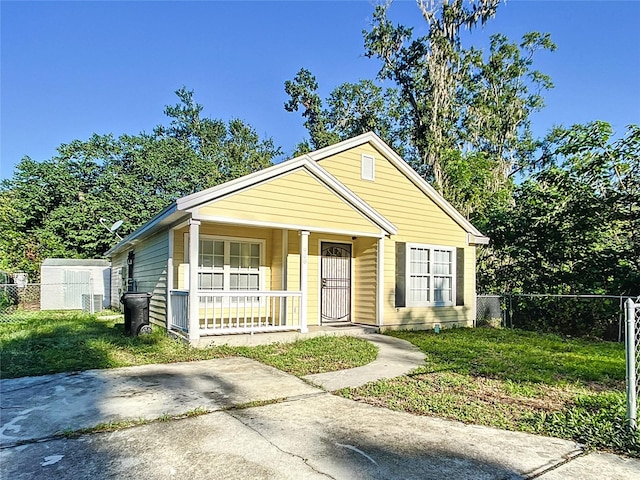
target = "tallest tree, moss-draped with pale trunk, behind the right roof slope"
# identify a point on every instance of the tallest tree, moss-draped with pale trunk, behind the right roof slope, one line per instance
(458, 100)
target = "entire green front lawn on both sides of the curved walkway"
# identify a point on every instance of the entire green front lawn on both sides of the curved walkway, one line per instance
(508, 379)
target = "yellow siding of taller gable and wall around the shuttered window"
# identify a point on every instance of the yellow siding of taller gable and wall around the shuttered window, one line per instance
(419, 220)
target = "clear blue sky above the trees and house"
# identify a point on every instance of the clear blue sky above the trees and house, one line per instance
(69, 69)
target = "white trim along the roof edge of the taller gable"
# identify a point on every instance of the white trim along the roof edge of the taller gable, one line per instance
(476, 236)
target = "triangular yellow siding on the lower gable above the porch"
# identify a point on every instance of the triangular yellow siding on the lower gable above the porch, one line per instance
(296, 198)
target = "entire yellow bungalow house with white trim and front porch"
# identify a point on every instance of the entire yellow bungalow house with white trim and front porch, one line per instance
(349, 233)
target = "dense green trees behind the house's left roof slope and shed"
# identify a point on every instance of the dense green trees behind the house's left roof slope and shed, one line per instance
(53, 208)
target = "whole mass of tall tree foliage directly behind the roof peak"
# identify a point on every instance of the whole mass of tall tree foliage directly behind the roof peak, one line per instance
(457, 114)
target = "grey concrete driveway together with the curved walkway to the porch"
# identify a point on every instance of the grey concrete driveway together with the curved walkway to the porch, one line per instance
(262, 423)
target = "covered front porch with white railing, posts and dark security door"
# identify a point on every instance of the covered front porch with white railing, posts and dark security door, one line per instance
(267, 279)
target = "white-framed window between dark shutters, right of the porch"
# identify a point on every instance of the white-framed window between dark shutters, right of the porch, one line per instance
(429, 275)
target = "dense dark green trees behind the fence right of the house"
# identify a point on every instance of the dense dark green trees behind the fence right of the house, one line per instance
(572, 228)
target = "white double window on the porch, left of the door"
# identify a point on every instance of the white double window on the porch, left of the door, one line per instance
(229, 265)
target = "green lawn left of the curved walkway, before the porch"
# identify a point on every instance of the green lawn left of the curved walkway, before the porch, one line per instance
(53, 342)
